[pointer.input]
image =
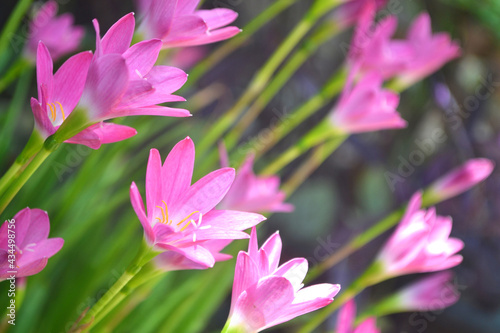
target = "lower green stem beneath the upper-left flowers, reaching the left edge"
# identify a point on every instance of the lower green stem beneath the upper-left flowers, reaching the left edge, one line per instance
(18, 183)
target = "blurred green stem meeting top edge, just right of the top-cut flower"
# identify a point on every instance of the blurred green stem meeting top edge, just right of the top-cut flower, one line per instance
(234, 43)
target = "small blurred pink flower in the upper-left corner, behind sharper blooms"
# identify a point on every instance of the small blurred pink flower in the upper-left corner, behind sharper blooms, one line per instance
(57, 32)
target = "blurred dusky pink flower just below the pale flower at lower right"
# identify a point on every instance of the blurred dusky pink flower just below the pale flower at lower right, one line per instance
(434, 292)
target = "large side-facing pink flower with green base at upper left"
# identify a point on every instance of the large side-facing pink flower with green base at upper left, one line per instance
(122, 81)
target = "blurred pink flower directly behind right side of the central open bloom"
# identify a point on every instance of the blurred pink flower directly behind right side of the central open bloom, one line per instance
(252, 193)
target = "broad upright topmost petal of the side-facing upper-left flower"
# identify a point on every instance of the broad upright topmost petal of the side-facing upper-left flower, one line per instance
(119, 36)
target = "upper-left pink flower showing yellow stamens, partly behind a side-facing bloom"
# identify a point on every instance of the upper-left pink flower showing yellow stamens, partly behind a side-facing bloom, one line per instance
(59, 93)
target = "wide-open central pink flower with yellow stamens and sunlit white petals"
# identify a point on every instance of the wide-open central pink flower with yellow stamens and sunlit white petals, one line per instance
(180, 217)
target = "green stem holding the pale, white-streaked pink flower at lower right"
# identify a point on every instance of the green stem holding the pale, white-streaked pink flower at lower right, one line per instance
(370, 277)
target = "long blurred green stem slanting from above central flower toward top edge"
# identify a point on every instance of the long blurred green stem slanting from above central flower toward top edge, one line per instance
(259, 81)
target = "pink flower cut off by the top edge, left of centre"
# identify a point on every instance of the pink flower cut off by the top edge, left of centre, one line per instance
(178, 23)
